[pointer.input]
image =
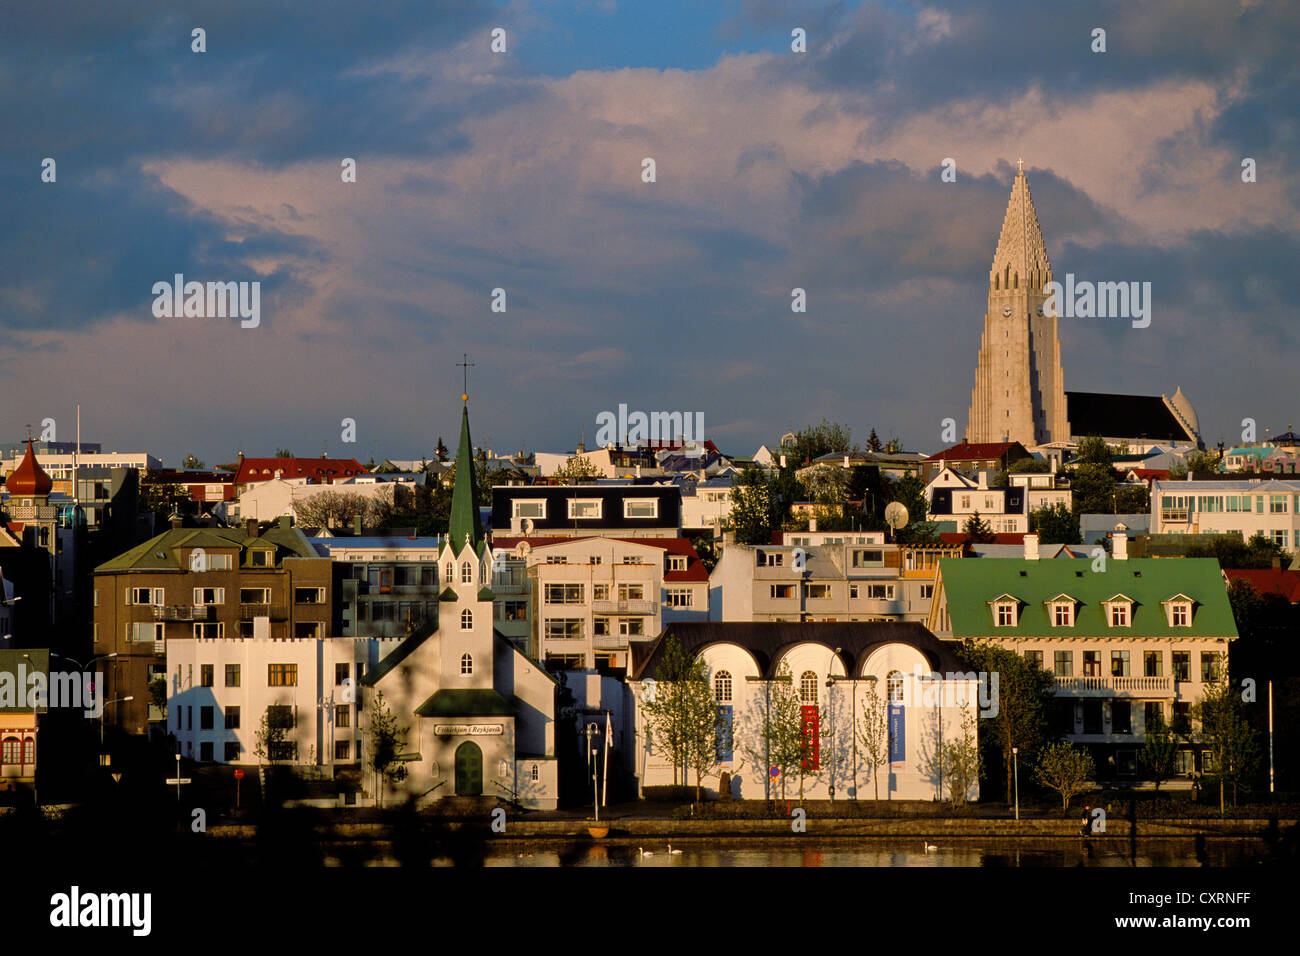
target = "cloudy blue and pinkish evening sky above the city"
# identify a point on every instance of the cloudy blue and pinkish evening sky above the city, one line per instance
(523, 171)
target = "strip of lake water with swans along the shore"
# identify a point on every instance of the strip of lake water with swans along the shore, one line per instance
(855, 853)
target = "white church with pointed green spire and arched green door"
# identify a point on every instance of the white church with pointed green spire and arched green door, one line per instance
(479, 715)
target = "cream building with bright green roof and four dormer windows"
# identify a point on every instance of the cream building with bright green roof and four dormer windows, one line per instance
(1126, 639)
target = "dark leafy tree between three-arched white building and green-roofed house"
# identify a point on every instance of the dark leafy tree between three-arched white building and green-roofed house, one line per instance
(1024, 695)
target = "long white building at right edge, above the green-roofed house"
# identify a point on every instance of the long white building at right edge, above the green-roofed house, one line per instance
(1271, 508)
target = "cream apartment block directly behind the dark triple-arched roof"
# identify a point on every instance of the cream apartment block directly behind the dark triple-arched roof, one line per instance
(826, 577)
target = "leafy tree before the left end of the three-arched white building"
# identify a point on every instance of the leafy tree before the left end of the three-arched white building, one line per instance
(683, 717)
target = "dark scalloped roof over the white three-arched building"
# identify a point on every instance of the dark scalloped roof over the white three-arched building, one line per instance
(769, 641)
